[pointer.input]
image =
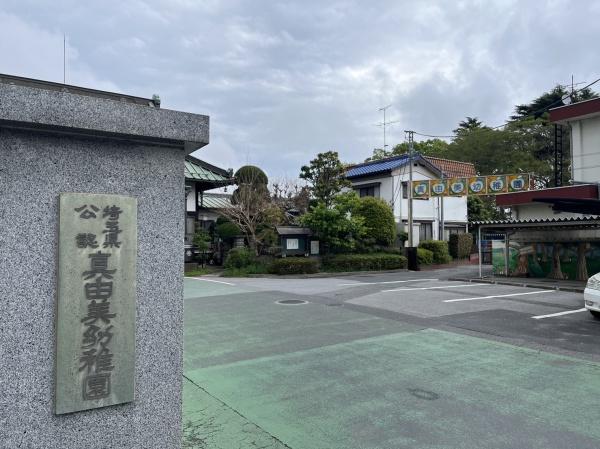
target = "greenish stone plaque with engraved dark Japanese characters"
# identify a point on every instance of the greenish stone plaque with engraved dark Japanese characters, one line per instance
(95, 321)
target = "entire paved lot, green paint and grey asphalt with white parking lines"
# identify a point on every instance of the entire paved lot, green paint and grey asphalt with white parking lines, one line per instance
(396, 360)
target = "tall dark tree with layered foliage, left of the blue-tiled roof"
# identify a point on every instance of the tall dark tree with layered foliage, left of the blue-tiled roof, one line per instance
(325, 175)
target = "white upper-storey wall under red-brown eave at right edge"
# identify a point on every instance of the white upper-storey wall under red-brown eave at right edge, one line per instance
(585, 147)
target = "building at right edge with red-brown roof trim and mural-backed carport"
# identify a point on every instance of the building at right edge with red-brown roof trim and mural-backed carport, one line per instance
(554, 232)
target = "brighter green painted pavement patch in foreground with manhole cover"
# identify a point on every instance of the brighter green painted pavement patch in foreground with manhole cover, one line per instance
(428, 389)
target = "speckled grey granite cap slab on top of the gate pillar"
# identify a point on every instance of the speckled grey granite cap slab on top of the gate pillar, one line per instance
(34, 107)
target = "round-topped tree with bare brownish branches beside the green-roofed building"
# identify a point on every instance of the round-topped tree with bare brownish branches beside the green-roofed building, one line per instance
(250, 203)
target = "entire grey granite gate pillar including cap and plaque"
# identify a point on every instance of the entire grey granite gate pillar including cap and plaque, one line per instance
(58, 140)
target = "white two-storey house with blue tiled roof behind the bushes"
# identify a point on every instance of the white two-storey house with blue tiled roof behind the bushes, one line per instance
(388, 179)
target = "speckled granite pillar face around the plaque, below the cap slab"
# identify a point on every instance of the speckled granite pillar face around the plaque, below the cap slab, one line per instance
(34, 168)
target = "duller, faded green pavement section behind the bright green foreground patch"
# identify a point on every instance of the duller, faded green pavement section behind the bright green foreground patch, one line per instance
(222, 329)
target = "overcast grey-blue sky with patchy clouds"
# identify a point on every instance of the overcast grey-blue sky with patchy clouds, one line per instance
(284, 80)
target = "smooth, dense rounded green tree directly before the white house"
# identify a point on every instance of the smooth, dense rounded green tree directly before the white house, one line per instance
(378, 220)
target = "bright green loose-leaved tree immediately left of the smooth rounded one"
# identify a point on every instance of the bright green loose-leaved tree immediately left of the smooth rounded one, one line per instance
(336, 227)
